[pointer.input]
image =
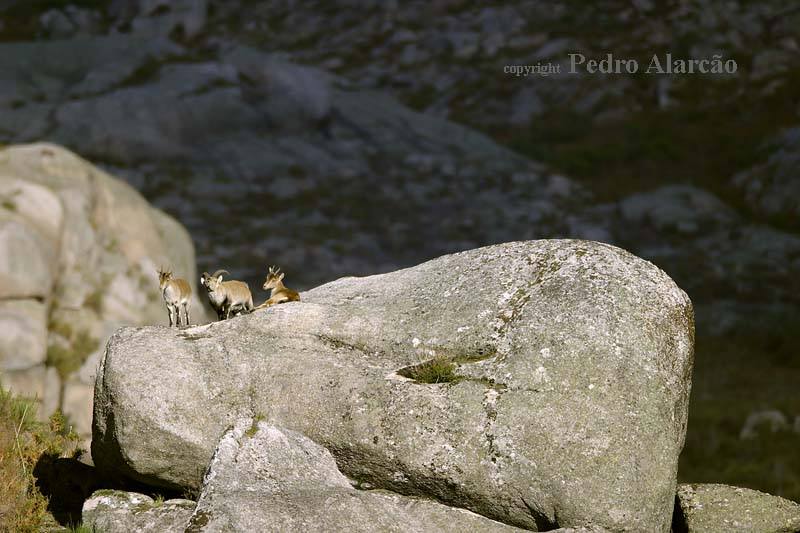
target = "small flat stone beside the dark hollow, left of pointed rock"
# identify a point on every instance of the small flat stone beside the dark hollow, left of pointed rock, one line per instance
(114, 511)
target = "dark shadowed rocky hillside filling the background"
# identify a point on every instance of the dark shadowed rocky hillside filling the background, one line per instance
(356, 136)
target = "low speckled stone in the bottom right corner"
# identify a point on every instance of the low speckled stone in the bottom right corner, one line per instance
(712, 508)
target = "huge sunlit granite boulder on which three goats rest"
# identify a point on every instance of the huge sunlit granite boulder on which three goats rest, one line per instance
(564, 402)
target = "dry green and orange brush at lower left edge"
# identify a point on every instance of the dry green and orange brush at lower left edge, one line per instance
(24, 442)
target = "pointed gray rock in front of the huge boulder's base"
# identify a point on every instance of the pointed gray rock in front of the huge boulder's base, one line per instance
(264, 478)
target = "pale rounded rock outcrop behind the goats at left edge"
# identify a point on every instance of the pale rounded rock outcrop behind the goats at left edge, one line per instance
(78, 254)
